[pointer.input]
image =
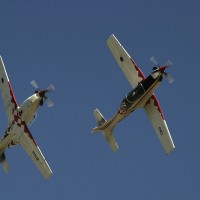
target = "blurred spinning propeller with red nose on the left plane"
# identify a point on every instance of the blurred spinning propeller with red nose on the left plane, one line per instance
(42, 93)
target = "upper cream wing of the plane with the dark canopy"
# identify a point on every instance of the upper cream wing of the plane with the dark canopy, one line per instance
(127, 65)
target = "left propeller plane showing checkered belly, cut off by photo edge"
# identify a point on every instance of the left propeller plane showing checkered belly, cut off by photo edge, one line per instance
(19, 118)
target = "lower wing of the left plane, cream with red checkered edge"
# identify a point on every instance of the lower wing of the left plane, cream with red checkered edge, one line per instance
(27, 141)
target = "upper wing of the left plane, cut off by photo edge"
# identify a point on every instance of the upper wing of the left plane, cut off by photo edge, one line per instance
(8, 97)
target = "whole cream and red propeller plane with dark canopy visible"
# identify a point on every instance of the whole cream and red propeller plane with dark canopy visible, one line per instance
(141, 96)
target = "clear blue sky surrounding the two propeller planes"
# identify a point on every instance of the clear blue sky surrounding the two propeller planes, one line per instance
(64, 43)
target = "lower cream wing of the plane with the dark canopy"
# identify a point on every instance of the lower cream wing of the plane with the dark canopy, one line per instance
(156, 117)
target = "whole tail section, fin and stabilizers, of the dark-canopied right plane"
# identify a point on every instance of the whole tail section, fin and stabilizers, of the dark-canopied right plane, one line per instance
(107, 133)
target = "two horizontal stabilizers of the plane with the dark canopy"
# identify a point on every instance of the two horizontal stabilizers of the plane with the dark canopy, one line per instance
(108, 134)
